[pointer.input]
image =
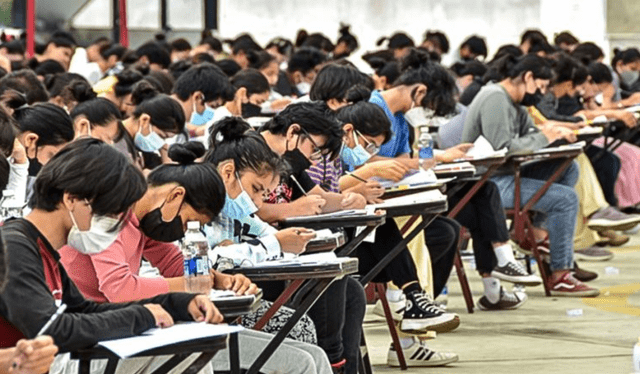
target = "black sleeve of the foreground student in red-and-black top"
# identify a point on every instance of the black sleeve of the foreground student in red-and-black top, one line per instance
(75, 328)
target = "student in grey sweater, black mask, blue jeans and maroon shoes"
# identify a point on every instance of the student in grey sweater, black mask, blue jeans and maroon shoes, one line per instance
(514, 129)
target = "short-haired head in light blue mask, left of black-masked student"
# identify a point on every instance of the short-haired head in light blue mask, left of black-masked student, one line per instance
(201, 85)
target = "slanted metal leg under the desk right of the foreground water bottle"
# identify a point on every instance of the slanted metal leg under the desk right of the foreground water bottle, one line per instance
(321, 286)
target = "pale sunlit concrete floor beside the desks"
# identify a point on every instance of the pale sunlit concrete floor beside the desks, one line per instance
(539, 337)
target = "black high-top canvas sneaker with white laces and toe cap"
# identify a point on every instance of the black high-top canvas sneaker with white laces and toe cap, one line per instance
(422, 314)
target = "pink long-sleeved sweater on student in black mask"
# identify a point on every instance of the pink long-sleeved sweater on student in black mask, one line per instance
(112, 275)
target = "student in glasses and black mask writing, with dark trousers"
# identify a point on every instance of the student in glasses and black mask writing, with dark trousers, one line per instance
(301, 133)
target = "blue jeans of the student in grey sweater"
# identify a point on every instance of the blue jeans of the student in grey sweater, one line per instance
(559, 204)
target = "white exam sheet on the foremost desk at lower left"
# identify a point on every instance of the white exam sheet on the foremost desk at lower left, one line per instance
(156, 337)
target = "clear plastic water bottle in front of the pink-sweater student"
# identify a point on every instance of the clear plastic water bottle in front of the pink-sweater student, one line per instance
(197, 277)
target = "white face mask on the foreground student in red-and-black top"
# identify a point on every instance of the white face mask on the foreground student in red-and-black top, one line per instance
(95, 240)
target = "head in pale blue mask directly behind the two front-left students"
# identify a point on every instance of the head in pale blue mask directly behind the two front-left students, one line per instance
(156, 118)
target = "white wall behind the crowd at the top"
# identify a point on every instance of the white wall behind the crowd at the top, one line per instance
(500, 21)
